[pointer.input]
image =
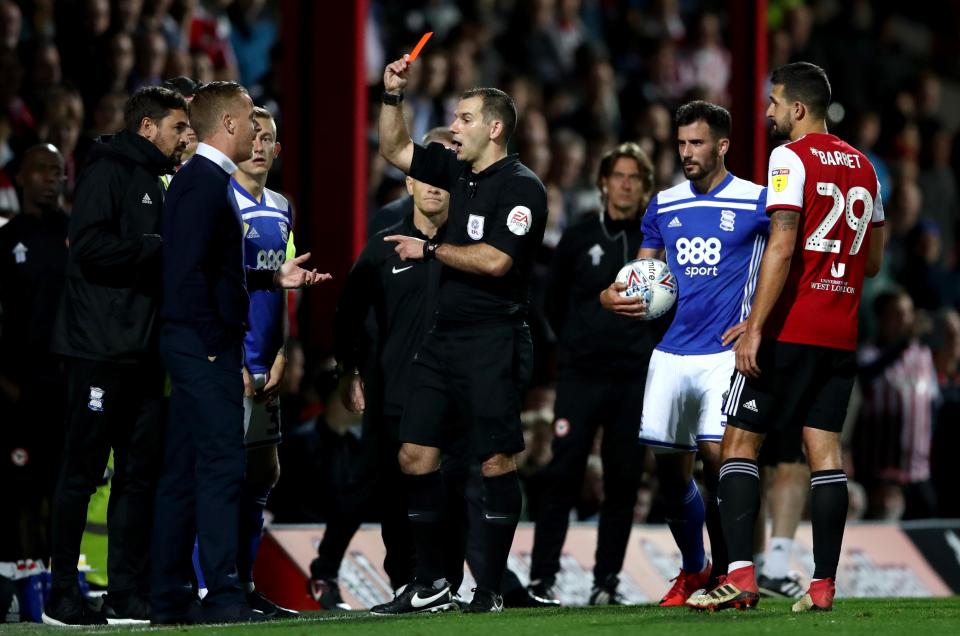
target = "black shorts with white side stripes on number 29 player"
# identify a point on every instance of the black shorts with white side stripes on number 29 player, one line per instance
(799, 385)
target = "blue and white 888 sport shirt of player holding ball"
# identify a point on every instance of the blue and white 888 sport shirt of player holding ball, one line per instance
(713, 243)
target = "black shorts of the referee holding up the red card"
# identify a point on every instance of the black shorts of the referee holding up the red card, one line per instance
(473, 376)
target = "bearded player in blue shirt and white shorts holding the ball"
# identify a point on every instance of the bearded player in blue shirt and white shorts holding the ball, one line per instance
(712, 231)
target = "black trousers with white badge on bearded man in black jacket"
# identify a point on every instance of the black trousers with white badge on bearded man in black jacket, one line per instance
(118, 406)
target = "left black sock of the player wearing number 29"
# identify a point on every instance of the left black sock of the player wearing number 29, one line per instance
(739, 495)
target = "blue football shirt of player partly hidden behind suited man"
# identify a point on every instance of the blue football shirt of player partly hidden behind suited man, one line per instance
(267, 244)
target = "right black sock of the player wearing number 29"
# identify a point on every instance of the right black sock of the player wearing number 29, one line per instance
(828, 514)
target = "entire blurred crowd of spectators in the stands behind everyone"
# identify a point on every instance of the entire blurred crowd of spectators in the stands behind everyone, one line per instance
(585, 75)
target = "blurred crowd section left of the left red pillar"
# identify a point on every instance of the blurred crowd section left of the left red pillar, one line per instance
(69, 66)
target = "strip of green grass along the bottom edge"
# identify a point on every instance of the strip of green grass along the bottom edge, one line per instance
(910, 617)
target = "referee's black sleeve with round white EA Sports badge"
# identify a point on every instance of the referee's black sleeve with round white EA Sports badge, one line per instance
(521, 217)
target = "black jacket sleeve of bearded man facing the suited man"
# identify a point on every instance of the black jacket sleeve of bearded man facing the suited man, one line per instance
(95, 238)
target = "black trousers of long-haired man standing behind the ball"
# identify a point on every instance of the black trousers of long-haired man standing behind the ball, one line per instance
(583, 405)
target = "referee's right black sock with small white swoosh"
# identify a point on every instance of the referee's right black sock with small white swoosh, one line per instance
(502, 501)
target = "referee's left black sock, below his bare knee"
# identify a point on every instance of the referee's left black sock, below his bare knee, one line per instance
(425, 507)
